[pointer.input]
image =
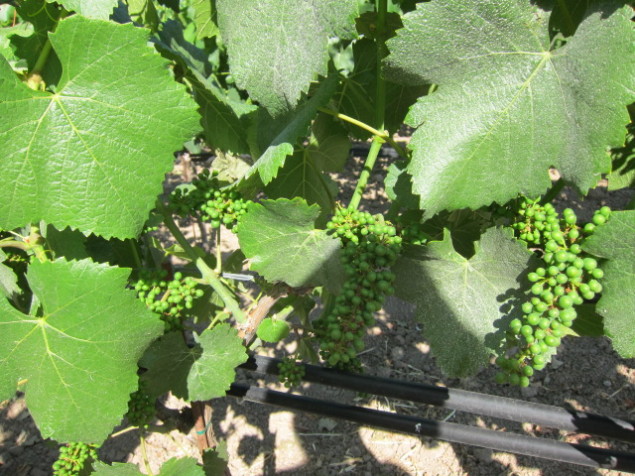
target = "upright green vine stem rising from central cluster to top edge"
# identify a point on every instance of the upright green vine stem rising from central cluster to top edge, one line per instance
(380, 107)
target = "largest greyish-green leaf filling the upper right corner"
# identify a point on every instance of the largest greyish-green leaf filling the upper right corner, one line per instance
(509, 103)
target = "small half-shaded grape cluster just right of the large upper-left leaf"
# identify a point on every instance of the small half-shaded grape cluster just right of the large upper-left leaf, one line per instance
(212, 201)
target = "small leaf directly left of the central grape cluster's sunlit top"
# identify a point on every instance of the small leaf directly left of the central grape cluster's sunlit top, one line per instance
(276, 229)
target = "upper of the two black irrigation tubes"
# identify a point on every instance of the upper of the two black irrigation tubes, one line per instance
(462, 400)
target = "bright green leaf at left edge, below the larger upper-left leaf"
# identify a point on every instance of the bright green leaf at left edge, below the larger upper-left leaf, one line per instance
(82, 354)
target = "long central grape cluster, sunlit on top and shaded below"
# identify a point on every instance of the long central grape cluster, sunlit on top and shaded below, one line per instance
(370, 247)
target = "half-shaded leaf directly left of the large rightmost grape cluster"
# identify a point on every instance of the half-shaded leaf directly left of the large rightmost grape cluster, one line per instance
(464, 304)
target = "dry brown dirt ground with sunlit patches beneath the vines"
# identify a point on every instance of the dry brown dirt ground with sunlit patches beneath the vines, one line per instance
(263, 440)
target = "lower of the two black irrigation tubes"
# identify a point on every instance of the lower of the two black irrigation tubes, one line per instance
(453, 432)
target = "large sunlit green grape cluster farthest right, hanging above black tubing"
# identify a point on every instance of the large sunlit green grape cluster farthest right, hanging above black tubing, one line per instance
(567, 278)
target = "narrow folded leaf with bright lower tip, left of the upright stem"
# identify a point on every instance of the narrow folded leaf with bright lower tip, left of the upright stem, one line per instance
(272, 140)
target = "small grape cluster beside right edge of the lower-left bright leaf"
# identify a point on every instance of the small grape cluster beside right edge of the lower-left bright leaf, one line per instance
(171, 299)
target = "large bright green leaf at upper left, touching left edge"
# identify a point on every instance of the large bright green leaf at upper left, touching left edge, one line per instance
(92, 155)
